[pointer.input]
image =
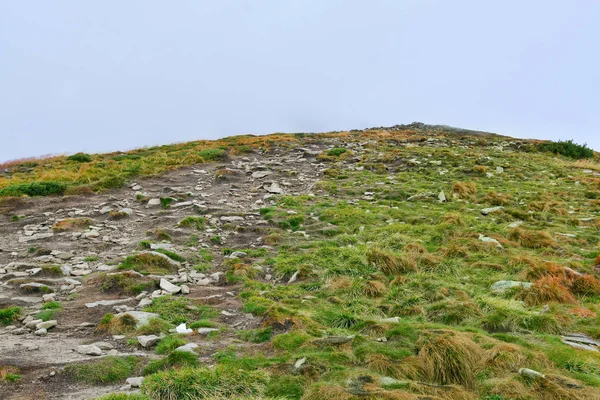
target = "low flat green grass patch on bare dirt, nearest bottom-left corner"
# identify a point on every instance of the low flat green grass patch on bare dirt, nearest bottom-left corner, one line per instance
(104, 371)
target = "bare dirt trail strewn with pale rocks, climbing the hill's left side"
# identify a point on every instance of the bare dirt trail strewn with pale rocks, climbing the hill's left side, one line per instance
(116, 222)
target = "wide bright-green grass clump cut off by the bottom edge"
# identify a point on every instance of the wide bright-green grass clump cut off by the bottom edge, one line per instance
(204, 383)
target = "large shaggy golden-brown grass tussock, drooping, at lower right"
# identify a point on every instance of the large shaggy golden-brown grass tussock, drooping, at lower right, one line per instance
(449, 358)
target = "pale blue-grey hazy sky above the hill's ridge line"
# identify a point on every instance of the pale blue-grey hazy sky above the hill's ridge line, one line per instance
(109, 75)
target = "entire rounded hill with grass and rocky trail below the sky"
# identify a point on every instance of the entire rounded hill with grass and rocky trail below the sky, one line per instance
(407, 262)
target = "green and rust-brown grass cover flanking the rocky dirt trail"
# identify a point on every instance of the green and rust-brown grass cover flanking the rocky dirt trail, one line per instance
(371, 254)
